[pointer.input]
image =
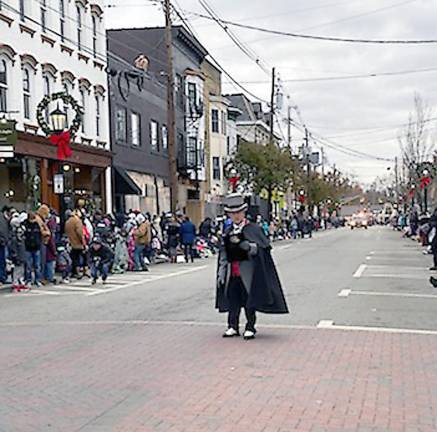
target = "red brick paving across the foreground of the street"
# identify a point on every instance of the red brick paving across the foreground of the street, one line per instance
(125, 376)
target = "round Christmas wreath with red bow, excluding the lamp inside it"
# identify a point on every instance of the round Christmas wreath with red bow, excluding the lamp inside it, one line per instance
(61, 140)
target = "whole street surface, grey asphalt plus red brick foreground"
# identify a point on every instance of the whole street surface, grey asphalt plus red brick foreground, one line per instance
(358, 352)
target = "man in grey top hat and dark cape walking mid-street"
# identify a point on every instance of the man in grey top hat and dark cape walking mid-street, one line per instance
(246, 273)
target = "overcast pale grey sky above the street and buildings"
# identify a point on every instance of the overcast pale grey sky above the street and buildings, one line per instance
(363, 114)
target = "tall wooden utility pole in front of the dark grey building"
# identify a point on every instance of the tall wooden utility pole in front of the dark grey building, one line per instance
(171, 113)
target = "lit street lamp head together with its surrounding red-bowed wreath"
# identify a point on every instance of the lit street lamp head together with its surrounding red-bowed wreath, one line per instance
(57, 133)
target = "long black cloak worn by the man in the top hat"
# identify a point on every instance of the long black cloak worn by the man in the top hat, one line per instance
(265, 293)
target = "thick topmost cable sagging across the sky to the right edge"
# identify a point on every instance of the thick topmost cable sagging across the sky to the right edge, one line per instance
(324, 38)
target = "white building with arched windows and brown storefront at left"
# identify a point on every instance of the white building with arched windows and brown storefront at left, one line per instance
(47, 46)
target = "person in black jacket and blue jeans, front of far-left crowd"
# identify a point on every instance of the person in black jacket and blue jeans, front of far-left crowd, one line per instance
(32, 244)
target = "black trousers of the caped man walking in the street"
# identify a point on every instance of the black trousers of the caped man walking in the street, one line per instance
(237, 298)
